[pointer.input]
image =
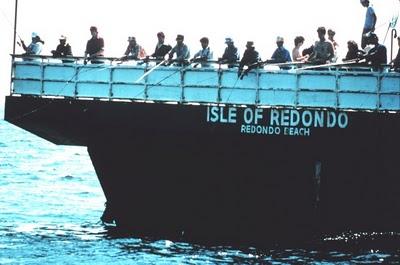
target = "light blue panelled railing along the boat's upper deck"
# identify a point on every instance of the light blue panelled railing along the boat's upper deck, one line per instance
(336, 87)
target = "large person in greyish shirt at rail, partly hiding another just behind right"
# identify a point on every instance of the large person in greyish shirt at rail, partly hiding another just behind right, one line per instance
(323, 51)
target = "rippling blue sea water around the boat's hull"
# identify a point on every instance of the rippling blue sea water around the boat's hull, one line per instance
(51, 202)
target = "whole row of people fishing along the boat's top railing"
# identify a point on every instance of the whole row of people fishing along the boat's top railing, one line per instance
(324, 51)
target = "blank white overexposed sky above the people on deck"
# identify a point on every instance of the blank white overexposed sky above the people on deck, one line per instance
(257, 20)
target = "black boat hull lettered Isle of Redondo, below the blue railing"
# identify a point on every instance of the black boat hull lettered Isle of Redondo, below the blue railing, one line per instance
(186, 172)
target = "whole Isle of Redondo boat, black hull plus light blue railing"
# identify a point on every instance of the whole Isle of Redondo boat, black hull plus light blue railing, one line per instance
(197, 154)
